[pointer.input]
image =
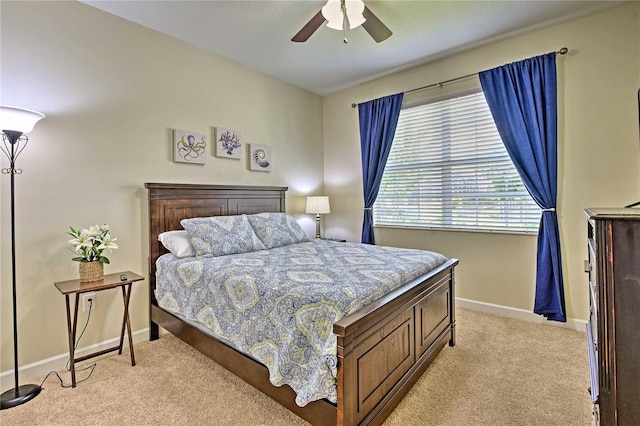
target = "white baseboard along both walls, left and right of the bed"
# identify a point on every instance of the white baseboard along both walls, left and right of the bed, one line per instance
(28, 373)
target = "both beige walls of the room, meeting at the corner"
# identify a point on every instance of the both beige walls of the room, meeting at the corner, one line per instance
(113, 90)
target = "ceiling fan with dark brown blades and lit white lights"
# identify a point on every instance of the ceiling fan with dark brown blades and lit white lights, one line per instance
(338, 12)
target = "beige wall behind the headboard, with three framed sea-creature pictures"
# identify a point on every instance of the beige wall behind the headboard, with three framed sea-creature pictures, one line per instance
(112, 92)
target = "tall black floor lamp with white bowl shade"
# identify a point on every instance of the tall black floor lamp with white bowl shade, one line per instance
(14, 123)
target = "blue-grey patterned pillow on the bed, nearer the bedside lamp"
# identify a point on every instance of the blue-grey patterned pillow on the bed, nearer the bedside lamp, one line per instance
(277, 229)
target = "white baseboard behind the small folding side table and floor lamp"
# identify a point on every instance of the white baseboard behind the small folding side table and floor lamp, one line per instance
(28, 373)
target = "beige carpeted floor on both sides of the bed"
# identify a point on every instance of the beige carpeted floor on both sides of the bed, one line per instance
(501, 372)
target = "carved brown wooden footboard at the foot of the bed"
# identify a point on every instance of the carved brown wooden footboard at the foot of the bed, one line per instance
(384, 348)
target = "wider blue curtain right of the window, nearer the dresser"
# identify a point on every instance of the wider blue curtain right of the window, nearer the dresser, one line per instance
(522, 97)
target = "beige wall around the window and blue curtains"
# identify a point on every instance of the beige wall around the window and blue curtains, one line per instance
(599, 153)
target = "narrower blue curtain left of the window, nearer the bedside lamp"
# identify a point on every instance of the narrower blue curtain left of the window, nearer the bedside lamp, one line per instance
(378, 121)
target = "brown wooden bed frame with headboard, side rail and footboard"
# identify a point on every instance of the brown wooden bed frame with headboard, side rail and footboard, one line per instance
(383, 349)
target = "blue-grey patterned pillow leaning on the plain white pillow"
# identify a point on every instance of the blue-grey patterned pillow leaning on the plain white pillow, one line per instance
(221, 235)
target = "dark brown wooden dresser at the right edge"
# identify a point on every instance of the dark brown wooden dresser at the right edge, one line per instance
(613, 332)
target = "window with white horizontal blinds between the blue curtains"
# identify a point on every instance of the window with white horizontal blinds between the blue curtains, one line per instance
(449, 169)
